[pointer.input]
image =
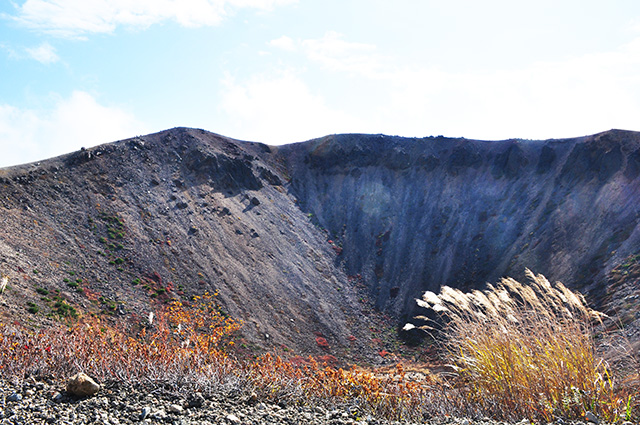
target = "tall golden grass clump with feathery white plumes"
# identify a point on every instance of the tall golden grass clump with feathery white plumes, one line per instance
(528, 351)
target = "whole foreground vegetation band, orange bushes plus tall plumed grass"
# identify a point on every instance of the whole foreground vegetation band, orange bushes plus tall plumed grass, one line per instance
(516, 351)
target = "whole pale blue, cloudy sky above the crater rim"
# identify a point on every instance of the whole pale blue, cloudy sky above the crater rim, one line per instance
(79, 73)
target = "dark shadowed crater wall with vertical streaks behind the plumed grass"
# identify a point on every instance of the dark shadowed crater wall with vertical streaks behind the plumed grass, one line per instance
(414, 214)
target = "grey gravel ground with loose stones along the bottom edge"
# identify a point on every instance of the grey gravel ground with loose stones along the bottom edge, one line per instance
(39, 402)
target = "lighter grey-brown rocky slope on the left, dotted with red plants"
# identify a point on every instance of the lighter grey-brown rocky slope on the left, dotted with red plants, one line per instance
(138, 222)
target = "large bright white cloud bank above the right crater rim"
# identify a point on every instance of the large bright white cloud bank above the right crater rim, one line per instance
(565, 98)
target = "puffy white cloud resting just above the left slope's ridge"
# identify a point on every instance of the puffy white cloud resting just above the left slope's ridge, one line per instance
(77, 121)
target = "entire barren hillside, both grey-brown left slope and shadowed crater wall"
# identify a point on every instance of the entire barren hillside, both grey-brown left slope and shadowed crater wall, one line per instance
(297, 239)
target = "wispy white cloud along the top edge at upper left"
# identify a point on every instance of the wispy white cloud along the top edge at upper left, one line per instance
(79, 18)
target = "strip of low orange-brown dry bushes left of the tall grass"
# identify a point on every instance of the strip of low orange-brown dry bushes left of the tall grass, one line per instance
(185, 346)
